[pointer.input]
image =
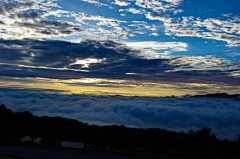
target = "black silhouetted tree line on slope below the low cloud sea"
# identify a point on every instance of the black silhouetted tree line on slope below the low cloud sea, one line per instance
(15, 125)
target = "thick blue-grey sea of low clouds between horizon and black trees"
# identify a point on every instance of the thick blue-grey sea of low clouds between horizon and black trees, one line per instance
(172, 113)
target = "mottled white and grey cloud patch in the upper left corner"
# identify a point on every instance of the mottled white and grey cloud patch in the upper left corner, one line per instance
(25, 21)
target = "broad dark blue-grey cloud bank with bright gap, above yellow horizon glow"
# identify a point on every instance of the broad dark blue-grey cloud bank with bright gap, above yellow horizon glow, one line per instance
(106, 63)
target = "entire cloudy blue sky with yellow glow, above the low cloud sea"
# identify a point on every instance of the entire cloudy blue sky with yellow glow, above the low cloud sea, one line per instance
(120, 47)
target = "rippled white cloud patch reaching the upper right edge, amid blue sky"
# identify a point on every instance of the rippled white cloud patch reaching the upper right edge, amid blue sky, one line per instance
(210, 28)
